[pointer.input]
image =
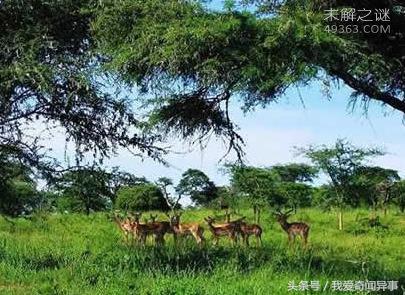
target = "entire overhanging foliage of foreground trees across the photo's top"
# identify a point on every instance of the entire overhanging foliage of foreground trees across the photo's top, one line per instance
(61, 62)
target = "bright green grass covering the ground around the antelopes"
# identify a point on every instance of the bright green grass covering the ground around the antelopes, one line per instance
(77, 254)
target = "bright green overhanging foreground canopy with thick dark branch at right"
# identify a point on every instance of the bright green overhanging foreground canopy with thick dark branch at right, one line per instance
(196, 60)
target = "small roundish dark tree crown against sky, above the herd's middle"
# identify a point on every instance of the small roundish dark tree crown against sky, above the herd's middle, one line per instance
(197, 185)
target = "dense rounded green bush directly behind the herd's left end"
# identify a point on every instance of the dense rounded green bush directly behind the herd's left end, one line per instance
(141, 197)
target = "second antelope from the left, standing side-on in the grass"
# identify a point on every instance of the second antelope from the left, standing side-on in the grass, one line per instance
(142, 230)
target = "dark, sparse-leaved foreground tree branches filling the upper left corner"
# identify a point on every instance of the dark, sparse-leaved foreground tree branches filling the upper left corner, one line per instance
(50, 78)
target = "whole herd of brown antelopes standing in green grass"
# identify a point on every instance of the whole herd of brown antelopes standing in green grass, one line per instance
(136, 230)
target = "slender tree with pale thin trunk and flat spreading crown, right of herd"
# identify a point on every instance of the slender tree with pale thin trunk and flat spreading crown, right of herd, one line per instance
(340, 162)
